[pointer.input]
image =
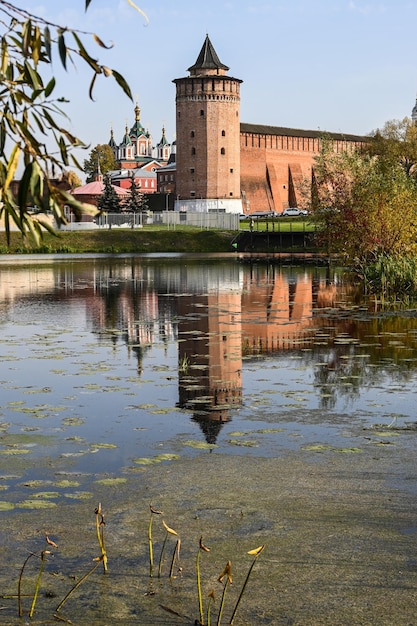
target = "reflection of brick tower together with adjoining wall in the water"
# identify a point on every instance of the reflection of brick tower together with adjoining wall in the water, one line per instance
(255, 312)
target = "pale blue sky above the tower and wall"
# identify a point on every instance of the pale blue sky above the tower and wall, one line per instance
(333, 65)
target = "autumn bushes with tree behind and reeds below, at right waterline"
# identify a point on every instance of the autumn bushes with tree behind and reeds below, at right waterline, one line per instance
(364, 204)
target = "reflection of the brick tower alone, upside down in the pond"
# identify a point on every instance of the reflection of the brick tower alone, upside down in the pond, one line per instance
(209, 347)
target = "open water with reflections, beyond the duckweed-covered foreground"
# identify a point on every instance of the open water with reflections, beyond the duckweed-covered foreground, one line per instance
(108, 363)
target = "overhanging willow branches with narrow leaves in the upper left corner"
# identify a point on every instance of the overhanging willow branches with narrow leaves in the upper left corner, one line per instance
(31, 114)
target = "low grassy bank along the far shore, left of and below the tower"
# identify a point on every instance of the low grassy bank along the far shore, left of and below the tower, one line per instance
(117, 240)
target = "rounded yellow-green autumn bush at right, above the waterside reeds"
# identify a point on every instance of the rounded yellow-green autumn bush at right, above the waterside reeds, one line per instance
(364, 206)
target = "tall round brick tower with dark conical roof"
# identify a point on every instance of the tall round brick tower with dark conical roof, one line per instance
(208, 137)
